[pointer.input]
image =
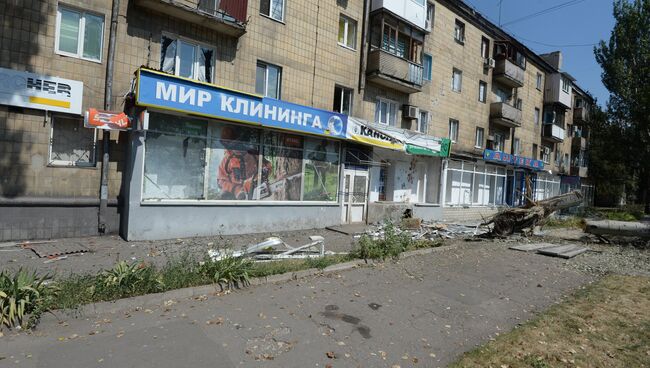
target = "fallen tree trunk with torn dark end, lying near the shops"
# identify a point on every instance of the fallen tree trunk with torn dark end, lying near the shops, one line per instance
(524, 219)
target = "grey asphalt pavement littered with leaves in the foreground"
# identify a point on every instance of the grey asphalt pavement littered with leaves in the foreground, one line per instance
(422, 311)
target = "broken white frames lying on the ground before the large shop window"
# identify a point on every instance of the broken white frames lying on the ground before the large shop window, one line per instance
(274, 248)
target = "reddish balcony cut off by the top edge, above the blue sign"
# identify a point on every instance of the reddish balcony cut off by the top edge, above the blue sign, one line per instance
(224, 16)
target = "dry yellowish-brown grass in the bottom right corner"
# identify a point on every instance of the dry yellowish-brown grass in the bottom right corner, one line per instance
(603, 325)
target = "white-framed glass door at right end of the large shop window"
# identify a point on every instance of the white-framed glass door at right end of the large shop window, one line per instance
(355, 195)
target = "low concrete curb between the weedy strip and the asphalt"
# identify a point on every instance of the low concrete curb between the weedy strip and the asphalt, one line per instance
(150, 300)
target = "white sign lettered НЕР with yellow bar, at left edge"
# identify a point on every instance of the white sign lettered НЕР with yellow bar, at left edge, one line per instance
(38, 91)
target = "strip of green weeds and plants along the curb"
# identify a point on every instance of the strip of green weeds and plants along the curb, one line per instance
(25, 296)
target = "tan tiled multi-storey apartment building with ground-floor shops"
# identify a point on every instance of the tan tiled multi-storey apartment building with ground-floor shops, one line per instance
(248, 116)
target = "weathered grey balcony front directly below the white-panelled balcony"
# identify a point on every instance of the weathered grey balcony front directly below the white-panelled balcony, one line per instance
(393, 72)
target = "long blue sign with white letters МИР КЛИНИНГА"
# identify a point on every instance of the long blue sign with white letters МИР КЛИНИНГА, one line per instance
(164, 91)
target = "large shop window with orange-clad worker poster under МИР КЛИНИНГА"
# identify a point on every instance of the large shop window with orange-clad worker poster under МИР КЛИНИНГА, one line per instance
(192, 159)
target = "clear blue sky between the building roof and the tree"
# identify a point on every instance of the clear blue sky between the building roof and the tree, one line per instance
(580, 22)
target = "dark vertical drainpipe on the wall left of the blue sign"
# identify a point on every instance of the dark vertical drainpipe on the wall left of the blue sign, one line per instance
(108, 100)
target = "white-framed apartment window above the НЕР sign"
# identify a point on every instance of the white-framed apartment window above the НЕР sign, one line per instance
(79, 34)
